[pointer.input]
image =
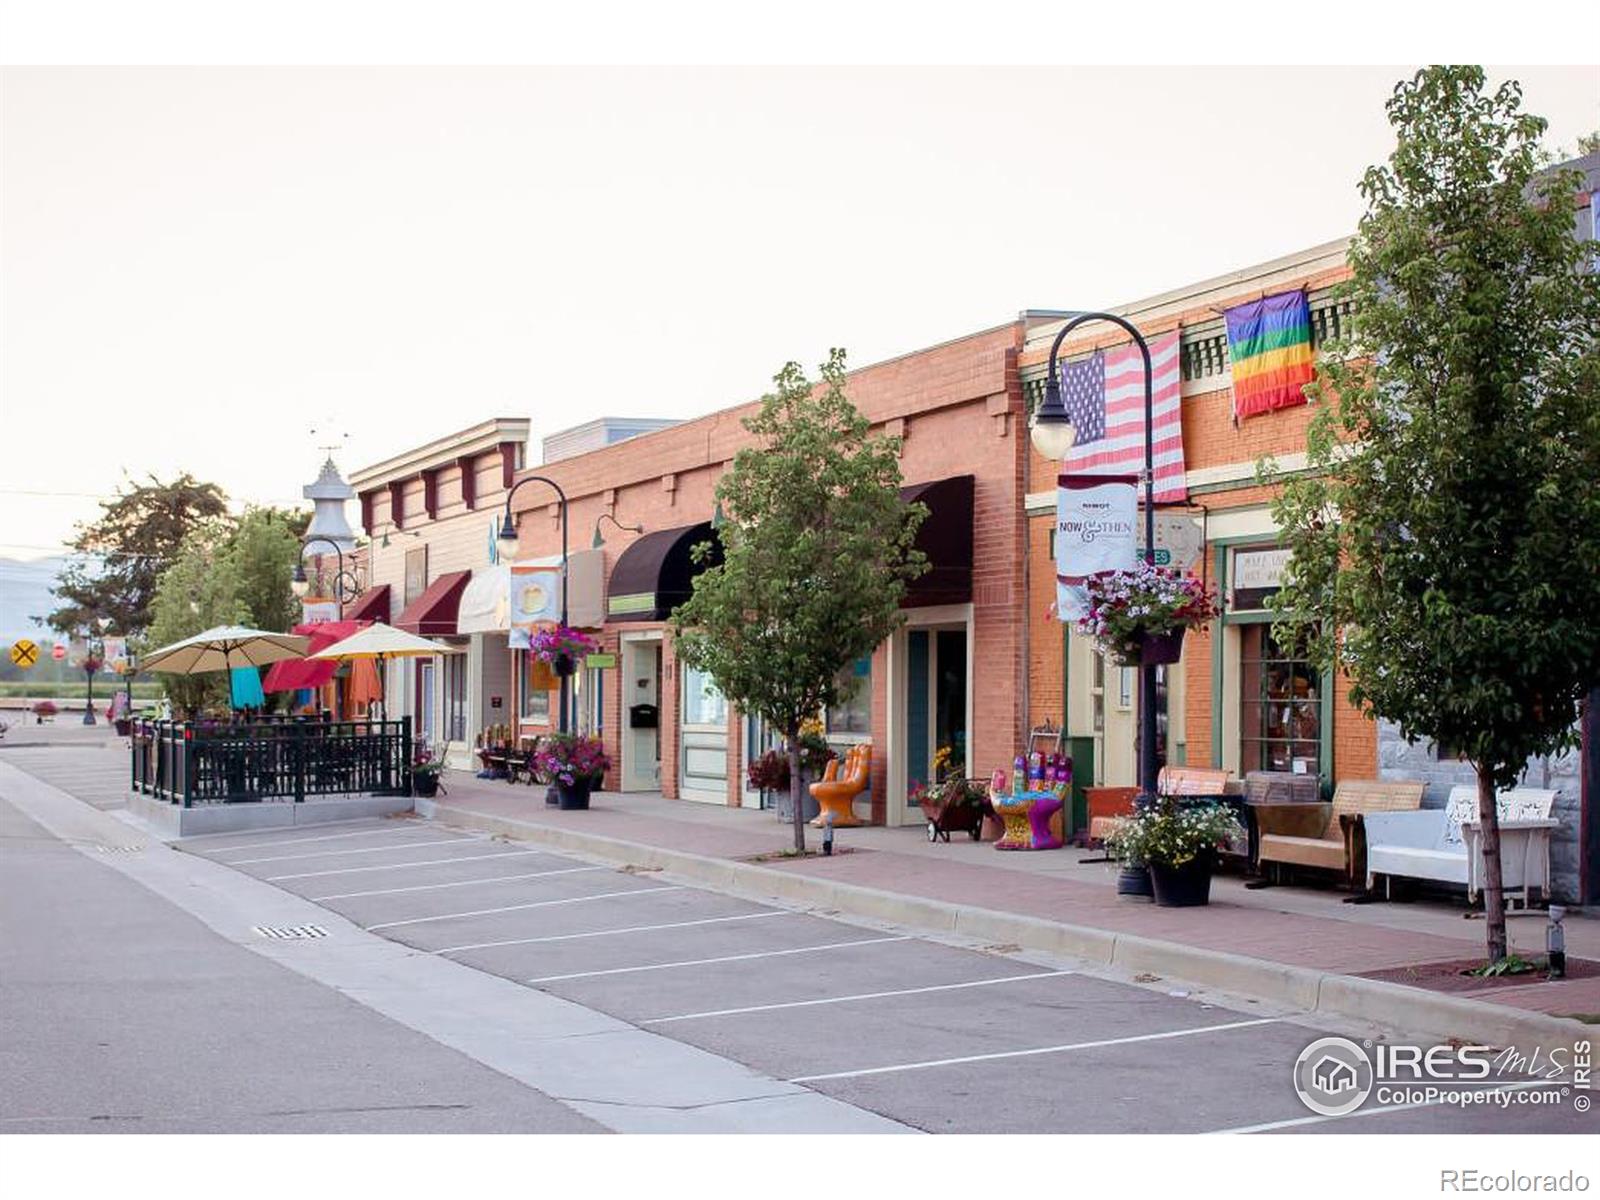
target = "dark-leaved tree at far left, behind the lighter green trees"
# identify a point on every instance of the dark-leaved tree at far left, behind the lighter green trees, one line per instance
(126, 550)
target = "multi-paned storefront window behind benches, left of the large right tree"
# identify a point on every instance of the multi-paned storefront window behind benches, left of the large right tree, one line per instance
(1281, 708)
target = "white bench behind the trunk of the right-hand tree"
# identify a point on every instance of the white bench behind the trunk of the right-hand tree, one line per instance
(1446, 844)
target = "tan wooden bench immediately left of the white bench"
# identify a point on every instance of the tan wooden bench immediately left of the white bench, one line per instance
(1330, 836)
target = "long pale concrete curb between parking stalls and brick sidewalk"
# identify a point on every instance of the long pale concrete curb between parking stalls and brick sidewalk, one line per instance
(1414, 1010)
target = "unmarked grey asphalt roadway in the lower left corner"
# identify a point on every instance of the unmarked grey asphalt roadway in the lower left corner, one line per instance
(126, 1015)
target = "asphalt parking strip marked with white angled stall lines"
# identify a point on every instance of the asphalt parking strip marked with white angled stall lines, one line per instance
(935, 1036)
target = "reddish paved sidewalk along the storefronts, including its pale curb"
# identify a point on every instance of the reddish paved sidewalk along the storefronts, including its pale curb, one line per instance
(1289, 945)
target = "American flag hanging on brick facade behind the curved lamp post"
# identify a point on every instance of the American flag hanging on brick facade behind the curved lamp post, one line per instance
(1105, 399)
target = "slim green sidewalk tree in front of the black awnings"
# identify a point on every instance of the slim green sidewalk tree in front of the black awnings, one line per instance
(817, 556)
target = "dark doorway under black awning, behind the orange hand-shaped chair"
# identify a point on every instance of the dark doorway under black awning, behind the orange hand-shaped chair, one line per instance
(937, 718)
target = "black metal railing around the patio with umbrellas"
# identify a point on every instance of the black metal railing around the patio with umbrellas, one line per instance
(218, 764)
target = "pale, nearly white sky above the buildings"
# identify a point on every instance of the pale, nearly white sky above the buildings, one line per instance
(223, 270)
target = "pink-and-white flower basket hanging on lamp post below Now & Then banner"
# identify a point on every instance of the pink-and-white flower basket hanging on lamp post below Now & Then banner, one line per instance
(1140, 617)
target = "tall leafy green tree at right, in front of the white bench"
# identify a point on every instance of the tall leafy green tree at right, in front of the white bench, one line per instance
(1447, 540)
